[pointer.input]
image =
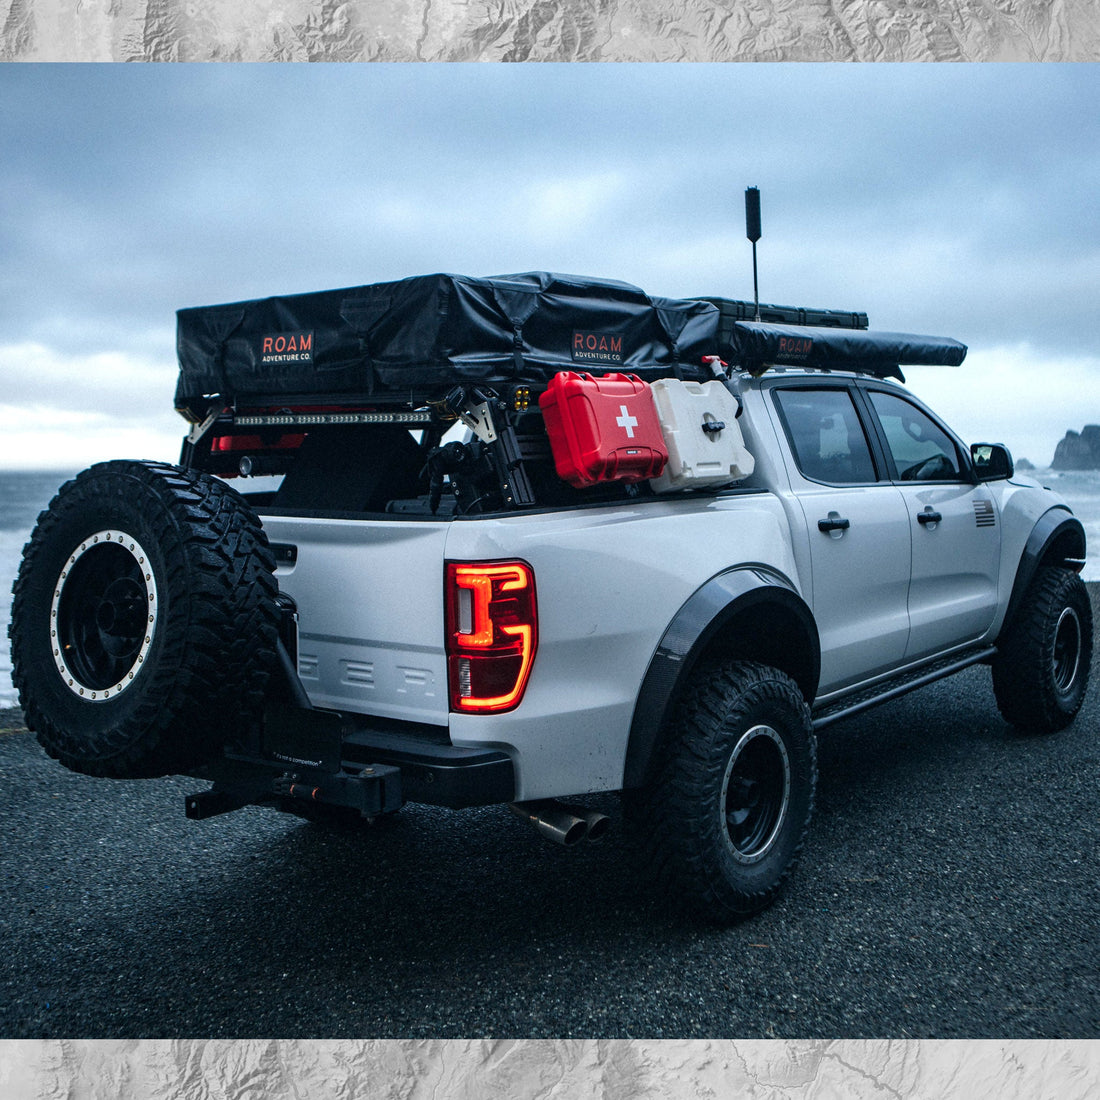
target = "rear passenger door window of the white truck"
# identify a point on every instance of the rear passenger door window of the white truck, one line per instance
(827, 436)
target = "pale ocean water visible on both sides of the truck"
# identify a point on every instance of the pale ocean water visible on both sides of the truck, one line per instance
(25, 494)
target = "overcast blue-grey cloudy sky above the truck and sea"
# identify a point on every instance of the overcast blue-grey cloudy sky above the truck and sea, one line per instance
(950, 200)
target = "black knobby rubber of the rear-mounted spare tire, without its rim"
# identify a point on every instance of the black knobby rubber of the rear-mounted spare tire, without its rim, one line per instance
(212, 675)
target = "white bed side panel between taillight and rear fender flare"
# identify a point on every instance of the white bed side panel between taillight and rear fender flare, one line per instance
(609, 581)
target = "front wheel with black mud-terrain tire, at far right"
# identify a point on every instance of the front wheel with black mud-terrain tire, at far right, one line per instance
(1041, 672)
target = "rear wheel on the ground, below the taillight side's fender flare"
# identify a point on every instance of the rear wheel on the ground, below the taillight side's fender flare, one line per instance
(733, 793)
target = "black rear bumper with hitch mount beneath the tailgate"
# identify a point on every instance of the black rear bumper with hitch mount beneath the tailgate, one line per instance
(373, 766)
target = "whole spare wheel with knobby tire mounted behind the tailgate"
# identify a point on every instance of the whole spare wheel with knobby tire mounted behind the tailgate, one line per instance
(144, 621)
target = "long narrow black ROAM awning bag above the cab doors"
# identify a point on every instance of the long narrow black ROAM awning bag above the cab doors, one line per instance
(756, 346)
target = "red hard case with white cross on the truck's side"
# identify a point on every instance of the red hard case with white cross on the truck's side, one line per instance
(603, 430)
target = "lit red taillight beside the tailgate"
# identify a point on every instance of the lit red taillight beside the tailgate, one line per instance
(492, 634)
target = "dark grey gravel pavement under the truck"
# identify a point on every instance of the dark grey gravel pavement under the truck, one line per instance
(950, 889)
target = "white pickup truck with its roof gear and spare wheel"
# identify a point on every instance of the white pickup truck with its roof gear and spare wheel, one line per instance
(424, 596)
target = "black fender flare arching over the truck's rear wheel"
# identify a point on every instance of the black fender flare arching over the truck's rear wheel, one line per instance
(701, 622)
